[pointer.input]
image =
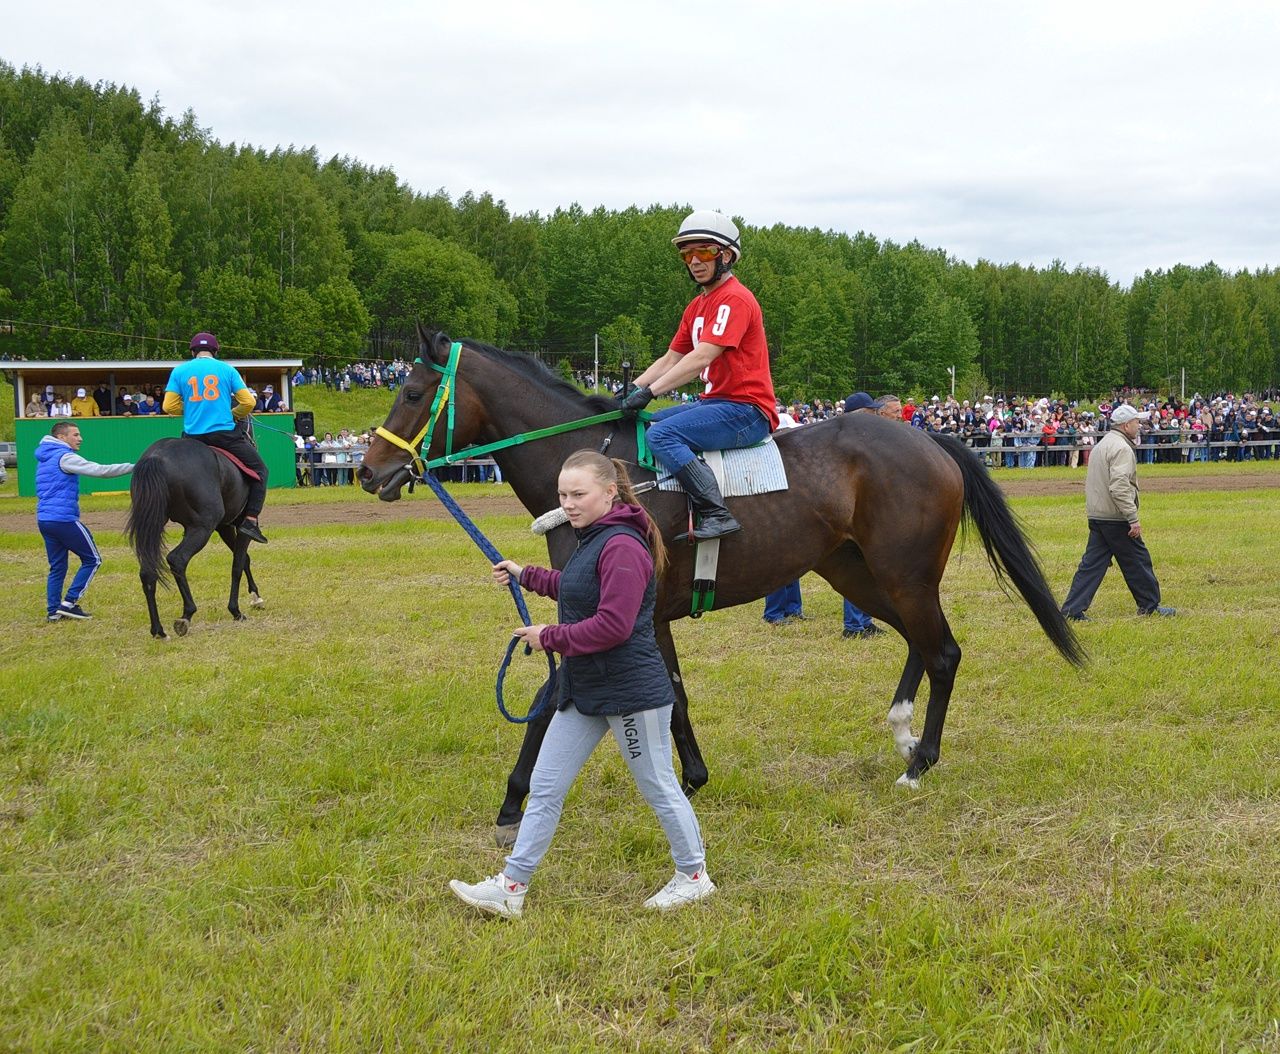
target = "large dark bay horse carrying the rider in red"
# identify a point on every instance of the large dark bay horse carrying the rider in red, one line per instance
(874, 508)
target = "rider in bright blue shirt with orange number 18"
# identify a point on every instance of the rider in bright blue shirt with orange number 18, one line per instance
(213, 400)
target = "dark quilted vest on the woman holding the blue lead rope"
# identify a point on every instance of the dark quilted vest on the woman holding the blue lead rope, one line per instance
(628, 678)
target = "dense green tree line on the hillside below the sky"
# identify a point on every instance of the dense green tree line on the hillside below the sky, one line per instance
(125, 230)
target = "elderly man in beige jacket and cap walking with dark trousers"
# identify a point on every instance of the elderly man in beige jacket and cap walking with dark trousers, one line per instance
(1112, 505)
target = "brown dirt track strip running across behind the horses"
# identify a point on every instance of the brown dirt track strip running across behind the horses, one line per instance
(422, 507)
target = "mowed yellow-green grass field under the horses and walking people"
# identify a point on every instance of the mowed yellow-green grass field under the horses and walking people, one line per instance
(241, 841)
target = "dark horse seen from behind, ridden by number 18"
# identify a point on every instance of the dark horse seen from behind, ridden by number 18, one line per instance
(186, 482)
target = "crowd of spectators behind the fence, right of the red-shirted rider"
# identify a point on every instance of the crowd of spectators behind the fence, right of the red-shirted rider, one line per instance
(1028, 434)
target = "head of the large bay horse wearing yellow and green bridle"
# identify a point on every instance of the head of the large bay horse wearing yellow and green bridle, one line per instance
(388, 467)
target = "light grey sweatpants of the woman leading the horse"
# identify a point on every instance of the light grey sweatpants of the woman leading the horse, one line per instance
(644, 741)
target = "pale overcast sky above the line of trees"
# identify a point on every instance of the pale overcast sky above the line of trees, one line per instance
(1116, 135)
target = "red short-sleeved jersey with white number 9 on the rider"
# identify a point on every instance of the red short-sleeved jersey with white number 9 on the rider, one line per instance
(732, 318)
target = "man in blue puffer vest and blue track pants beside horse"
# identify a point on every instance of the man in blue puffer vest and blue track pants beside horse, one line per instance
(58, 471)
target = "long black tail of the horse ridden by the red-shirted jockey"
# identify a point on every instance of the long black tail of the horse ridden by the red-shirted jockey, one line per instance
(1008, 550)
